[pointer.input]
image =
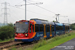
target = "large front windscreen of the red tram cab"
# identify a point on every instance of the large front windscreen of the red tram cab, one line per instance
(22, 27)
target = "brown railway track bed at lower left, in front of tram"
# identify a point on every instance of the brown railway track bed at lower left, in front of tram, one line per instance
(11, 44)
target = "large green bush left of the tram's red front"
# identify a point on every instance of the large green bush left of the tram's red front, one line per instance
(6, 32)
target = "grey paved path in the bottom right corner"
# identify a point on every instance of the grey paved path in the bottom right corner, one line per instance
(69, 45)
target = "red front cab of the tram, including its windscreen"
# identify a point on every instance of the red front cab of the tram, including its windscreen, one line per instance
(24, 29)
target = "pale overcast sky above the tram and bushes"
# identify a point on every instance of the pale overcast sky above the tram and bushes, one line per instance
(66, 9)
